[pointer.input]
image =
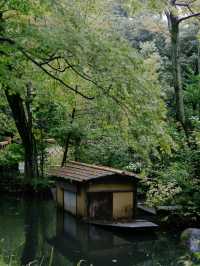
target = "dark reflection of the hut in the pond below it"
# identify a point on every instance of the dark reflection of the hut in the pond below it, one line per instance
(79, 241)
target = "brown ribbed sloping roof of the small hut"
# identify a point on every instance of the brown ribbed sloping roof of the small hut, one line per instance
(82, 172)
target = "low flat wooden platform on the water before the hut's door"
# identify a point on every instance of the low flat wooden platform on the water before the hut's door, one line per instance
(133, 225)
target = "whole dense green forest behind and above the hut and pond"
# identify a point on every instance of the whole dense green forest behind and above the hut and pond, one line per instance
(115, 83)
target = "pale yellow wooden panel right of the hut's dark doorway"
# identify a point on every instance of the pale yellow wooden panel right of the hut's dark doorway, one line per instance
(123, 205)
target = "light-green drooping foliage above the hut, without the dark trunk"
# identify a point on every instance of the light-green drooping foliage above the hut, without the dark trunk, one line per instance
(123, 82)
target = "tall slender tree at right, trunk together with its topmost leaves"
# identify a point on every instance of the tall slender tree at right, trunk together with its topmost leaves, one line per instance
(176, 12)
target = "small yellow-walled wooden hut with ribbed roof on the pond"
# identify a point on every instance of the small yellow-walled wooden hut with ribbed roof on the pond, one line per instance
(94, 192)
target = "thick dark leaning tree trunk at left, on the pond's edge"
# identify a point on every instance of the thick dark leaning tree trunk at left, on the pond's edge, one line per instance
(25, 132)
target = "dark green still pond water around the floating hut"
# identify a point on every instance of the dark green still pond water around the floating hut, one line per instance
(34, 233)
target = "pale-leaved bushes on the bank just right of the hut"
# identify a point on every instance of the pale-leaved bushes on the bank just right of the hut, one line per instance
(175, 185)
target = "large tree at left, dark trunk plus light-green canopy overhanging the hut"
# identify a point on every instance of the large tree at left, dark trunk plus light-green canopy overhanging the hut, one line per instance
(69, 49)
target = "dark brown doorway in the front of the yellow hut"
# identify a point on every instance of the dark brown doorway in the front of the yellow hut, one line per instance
(100, 205)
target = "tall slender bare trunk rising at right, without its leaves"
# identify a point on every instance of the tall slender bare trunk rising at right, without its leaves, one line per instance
(176, 68)
